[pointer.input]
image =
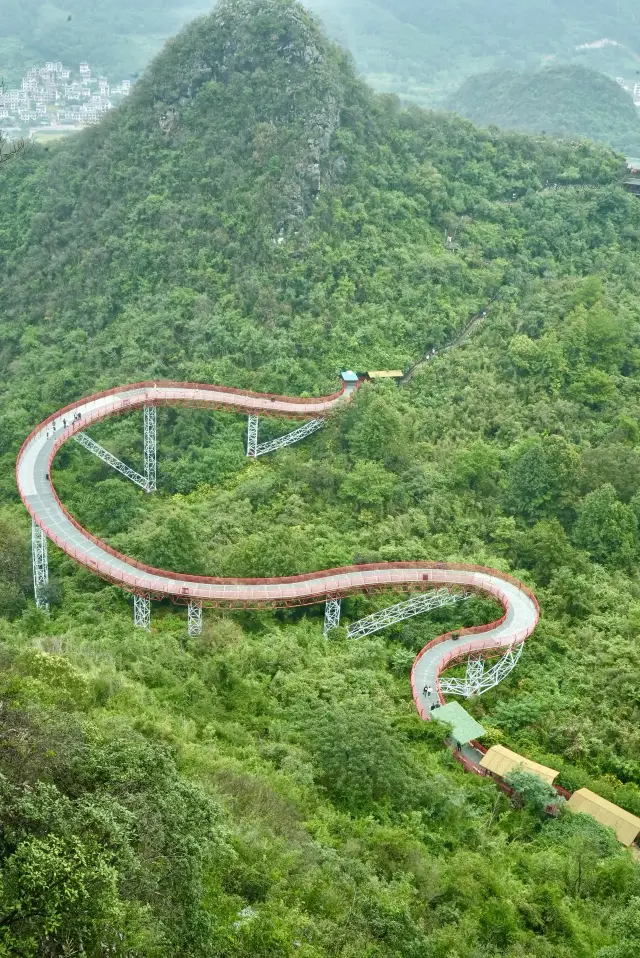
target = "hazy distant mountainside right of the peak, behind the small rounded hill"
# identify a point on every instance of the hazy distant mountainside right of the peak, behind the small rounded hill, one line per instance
(423, 49)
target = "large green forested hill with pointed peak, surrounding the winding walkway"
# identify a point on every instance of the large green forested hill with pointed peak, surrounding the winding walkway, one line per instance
(255, 216)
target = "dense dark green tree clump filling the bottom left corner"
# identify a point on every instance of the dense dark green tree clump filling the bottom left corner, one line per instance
(86, 809)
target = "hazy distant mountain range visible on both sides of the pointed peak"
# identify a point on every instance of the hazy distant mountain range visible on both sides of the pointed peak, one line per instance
(421, 49)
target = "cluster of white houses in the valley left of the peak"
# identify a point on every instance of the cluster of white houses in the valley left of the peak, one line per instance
(54, 100)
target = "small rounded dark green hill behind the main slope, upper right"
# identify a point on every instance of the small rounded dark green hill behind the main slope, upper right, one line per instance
(564, 100)
